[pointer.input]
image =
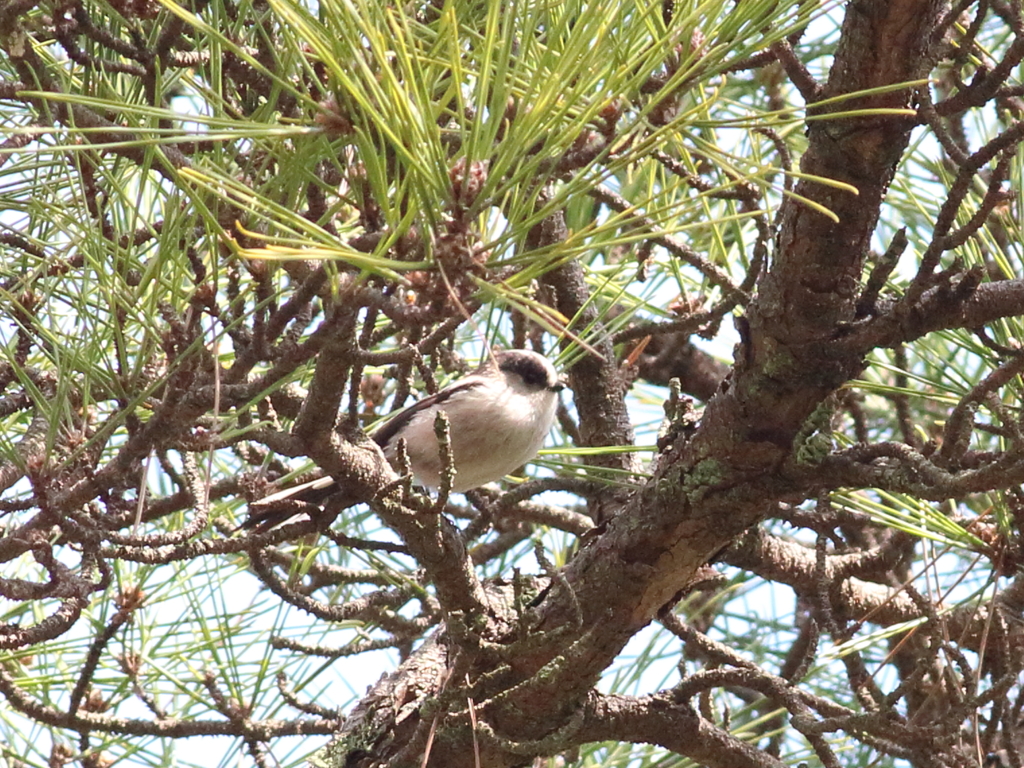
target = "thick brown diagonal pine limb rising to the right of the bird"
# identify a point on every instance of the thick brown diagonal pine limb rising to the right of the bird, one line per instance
(716, 486)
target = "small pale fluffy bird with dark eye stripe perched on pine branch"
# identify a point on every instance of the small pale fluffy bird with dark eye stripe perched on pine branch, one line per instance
(498, 416)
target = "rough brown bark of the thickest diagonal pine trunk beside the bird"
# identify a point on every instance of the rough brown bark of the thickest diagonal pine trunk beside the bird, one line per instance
(712, 488)
